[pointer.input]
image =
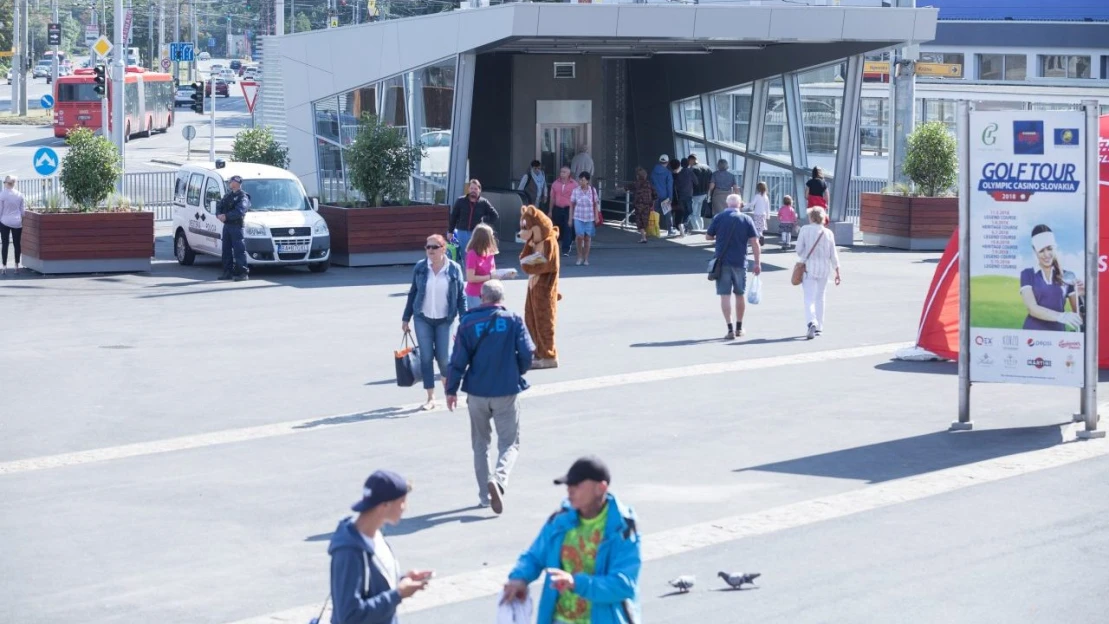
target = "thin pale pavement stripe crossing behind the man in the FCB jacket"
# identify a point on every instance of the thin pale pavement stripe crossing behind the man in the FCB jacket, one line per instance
(227, 437)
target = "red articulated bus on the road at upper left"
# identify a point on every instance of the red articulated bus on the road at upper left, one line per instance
(148, 103)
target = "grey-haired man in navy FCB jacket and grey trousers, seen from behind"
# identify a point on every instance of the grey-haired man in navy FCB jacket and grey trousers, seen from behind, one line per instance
(493, 351)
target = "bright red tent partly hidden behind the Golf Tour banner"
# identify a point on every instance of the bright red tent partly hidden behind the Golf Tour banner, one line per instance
(940, 322)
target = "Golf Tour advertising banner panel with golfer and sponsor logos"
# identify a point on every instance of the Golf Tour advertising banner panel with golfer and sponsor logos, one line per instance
(1027, 260)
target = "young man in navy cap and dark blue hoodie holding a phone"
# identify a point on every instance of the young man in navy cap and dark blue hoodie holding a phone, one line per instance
(367, 581)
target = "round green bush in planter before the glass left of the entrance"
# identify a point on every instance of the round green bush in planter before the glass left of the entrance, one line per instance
(381, 161)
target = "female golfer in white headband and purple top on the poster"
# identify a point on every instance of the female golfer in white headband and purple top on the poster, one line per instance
(1045, 290)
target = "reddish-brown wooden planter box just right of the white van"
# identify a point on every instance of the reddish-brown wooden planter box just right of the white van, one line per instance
(382, 236)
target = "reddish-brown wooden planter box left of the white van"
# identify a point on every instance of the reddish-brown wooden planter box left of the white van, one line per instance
(88, 242)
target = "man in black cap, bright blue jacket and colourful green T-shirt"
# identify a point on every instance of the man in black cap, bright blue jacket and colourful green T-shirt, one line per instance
(591, 551)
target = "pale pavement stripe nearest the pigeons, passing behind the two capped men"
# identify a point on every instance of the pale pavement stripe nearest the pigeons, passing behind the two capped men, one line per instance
(489, 581)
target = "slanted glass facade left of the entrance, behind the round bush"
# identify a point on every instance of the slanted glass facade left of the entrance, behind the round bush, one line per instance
(420, 103)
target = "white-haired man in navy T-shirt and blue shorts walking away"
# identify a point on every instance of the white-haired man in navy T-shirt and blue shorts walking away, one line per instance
(734, 231)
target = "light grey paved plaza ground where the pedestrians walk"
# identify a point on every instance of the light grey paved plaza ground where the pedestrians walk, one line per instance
(179, 451)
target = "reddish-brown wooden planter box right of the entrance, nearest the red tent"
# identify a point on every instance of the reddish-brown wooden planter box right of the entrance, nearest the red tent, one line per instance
(920, 224)
